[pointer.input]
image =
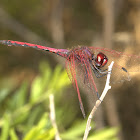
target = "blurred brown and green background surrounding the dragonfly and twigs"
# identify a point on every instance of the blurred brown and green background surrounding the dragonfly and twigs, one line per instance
(28, 77)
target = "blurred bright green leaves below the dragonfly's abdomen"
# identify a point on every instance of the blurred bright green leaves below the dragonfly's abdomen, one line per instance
(25, 110)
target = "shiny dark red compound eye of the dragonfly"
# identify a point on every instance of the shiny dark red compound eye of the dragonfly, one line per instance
(101, 60)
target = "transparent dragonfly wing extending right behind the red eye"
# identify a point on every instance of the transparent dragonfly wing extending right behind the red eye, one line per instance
(125, 65)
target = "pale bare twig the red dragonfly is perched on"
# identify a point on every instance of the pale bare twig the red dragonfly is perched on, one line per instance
(99, 101)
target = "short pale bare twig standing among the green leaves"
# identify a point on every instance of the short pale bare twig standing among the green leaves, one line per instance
(52, 117)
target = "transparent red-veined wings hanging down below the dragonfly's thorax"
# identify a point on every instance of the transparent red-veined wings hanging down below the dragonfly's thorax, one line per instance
(80, 72)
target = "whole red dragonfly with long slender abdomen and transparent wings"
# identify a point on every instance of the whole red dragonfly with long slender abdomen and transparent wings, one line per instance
(85, 62)
